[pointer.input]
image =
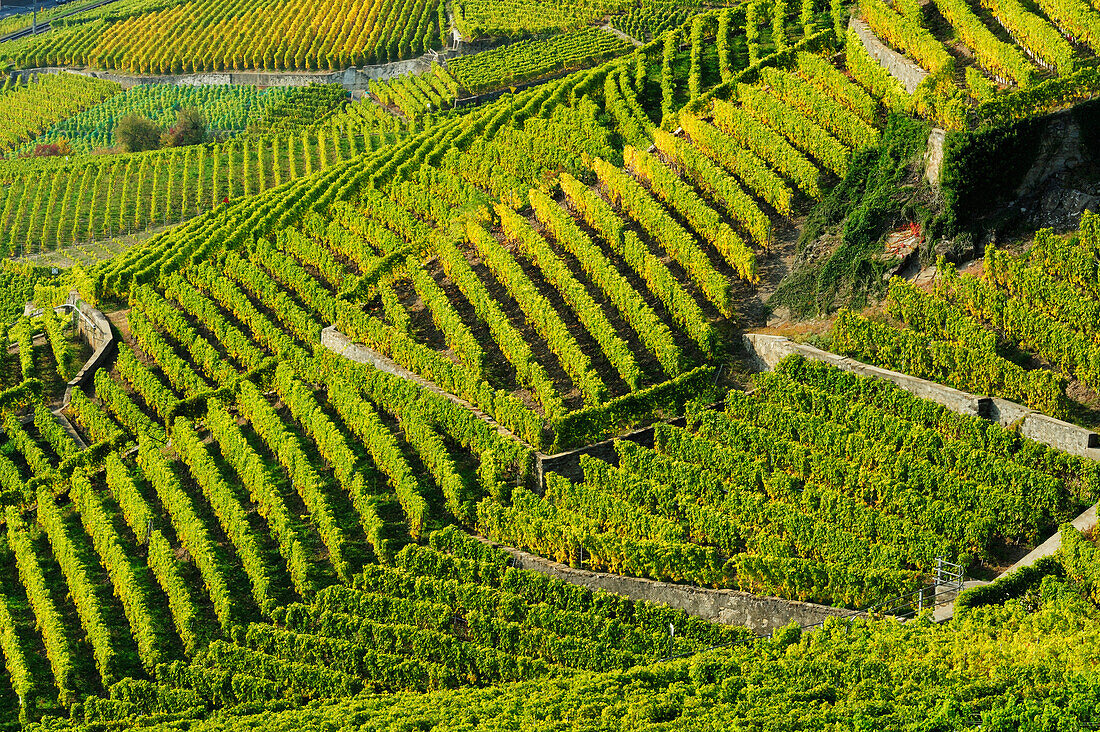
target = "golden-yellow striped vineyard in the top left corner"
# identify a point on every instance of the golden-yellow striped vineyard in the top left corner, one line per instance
(204, 36)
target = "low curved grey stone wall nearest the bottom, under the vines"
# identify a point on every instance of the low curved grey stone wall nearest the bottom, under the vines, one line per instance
(761, 615)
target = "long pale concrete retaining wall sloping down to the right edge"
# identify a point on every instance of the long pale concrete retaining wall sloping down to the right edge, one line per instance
(769, 351)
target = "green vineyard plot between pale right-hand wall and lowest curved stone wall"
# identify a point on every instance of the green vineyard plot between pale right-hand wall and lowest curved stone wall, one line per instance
(812, 488)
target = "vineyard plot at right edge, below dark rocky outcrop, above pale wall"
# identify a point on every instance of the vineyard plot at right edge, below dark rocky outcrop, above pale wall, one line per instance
(969, 330)
